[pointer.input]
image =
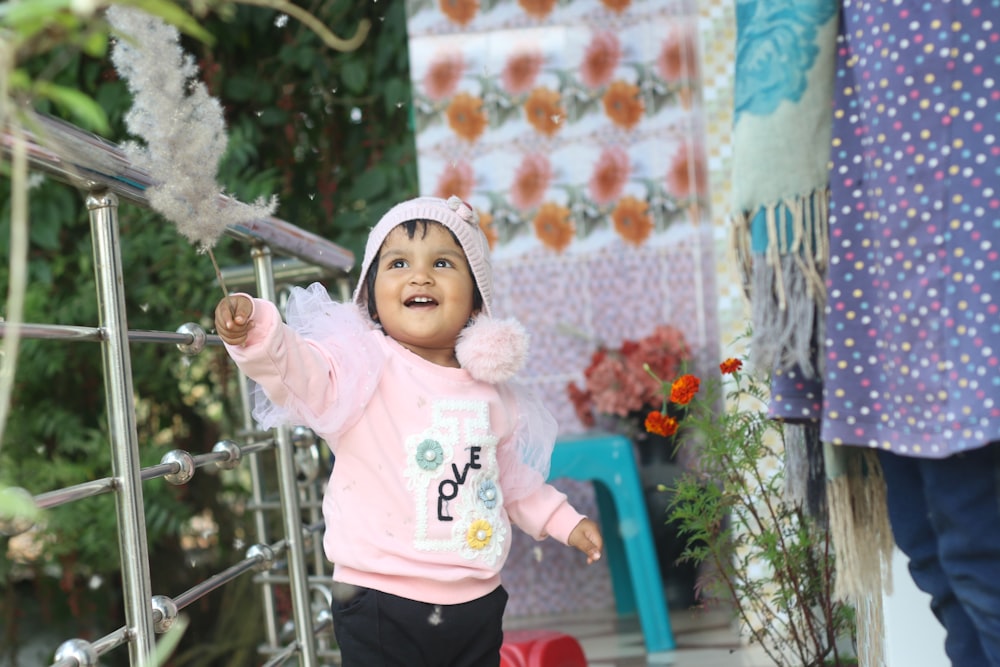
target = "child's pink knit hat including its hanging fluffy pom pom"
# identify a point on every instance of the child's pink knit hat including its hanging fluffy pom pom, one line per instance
(491, 350)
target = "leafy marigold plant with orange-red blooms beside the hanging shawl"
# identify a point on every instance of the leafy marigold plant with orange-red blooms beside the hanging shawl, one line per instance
(758, 551)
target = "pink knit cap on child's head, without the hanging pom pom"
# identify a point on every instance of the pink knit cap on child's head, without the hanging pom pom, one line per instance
(454, 214)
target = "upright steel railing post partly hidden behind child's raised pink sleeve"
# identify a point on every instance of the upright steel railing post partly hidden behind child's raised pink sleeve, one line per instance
(291, 513)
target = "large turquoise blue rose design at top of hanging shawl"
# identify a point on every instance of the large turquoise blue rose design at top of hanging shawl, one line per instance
(775, 49)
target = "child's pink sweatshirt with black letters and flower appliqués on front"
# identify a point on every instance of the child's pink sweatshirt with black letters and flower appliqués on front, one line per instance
(423, 491)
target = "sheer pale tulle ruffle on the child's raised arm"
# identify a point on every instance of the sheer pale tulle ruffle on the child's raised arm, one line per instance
(350, 346)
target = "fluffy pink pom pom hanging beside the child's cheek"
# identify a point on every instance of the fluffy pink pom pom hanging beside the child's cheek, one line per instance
(492, 350)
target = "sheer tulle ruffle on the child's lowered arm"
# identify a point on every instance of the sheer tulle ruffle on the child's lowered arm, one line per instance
(525, 460)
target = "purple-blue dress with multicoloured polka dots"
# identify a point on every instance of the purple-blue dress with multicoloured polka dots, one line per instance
(913, 326)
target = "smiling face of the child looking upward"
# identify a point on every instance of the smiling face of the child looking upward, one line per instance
(424, 291)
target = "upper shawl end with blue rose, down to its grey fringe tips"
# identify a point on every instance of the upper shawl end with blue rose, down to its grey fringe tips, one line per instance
(781, 136)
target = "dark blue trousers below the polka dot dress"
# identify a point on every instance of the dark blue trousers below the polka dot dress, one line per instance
(945, 516)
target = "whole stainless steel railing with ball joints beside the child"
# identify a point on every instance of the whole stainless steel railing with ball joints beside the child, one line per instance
(101, 170)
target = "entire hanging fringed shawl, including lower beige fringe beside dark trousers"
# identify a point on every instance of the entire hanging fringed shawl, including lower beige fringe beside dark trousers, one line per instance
(785, 60)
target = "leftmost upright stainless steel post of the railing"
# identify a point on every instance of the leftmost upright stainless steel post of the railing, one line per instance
(125, 464)
